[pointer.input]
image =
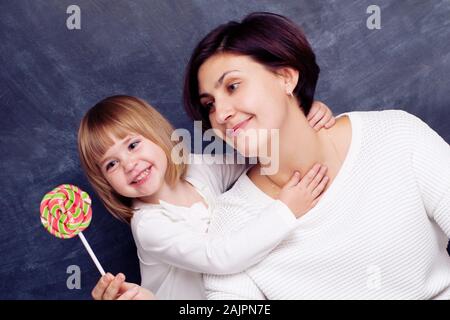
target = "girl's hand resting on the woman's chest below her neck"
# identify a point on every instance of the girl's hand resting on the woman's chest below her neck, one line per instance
(301, 195)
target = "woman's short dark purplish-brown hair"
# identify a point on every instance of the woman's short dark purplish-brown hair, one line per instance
(269, 39)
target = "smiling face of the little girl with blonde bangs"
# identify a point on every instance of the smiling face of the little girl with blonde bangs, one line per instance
(135, 167)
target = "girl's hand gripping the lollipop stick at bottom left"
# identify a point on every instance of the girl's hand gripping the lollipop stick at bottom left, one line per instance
(115, 288)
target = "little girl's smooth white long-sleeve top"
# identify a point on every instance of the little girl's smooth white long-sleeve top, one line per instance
(174, 247)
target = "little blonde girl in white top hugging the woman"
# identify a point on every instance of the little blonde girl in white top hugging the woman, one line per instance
(125, 148)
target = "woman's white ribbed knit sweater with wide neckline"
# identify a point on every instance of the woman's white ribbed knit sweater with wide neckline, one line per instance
(380, 231)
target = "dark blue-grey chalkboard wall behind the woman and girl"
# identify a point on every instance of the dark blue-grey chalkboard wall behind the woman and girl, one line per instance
(50, 76)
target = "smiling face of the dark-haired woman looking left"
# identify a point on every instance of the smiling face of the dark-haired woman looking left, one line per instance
(244, 100)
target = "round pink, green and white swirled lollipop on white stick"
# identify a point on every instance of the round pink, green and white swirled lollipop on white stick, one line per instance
(66, 212)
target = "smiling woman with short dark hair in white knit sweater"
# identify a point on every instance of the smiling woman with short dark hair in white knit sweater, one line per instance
(382, 226)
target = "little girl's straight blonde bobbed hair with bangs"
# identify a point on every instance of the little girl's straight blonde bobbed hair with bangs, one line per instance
(118, 116)
